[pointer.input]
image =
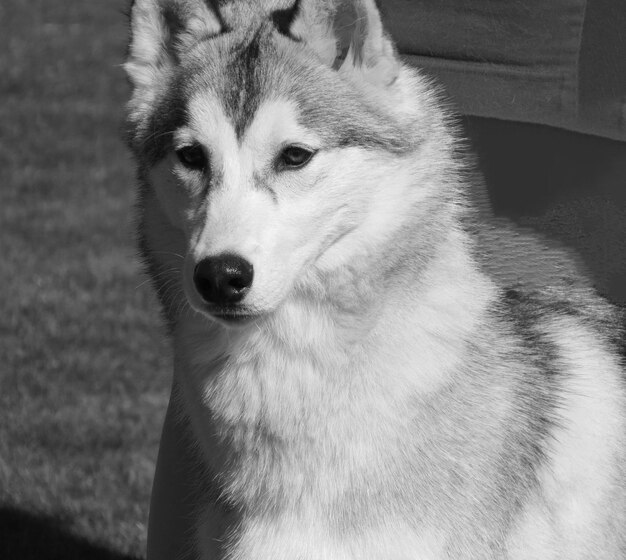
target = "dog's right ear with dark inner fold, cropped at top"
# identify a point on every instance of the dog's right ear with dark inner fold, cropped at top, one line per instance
(346, 34)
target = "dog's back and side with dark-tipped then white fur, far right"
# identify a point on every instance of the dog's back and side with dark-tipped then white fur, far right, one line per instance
(566, 343)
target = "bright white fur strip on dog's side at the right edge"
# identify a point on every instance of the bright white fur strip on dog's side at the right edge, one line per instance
(580, 478)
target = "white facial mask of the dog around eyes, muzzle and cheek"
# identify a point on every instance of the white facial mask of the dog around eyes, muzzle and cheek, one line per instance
(348, 205)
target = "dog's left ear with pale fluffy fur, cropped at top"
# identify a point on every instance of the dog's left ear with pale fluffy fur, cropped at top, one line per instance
(161, 32)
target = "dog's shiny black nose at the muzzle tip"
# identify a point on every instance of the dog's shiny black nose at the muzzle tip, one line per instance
(224, 279)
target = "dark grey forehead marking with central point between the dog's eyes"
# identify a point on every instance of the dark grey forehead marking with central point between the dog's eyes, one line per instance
(248, 73)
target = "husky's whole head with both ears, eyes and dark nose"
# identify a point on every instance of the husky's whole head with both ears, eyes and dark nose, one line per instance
(259, 138)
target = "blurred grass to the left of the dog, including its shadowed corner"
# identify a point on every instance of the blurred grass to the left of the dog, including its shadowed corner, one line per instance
(84, 366)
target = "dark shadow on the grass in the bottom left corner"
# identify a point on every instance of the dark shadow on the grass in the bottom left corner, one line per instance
(25, 536)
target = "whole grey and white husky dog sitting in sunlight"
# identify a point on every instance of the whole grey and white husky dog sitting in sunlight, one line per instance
(360, 380)
